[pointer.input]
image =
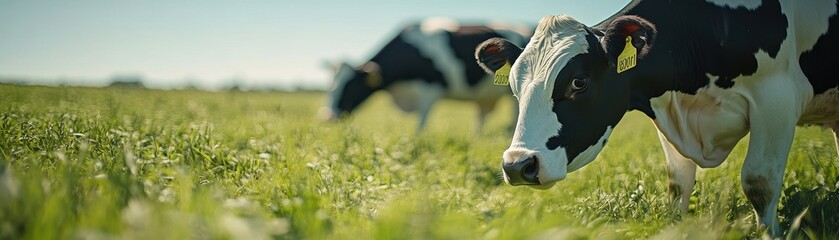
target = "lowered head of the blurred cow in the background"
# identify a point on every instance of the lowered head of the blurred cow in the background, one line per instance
(351, 87)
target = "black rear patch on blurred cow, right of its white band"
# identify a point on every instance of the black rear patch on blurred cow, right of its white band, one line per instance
(463, 42)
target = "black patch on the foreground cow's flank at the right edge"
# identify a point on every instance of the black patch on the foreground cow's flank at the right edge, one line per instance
(819, 63)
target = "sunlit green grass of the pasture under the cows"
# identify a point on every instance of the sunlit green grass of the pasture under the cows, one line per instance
(101, 163)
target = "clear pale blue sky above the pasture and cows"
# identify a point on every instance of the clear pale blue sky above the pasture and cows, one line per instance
(212, 43)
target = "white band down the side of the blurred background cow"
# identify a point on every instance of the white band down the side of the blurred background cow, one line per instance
(432, 42)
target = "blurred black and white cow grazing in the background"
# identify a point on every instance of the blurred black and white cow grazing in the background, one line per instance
(423, 63)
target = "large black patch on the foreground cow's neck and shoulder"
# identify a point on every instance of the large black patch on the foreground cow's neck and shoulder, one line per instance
(696, 38)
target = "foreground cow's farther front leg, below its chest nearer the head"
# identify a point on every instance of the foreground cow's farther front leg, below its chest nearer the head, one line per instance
(681, 173)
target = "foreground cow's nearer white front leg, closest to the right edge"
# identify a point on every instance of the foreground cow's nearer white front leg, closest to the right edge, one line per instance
(772, 119)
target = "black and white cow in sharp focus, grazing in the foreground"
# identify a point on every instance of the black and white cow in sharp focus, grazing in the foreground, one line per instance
(707, 72)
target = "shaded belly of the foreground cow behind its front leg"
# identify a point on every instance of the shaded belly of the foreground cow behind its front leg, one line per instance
(823, 109)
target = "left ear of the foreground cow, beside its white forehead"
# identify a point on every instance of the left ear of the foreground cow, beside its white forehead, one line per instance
(493, 53)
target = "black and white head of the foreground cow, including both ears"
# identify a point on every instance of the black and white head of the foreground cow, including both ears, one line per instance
(570, 94)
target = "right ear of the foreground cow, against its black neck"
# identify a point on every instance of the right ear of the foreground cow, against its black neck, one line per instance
(641, 32)
